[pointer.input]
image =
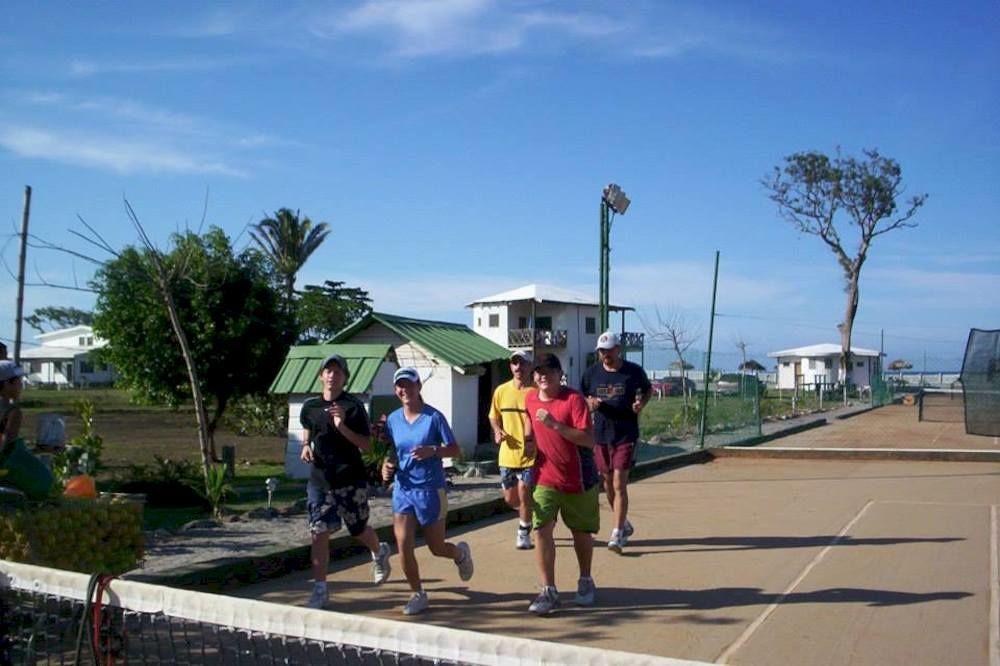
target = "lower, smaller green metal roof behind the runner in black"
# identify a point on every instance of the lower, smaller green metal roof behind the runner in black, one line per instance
(300, 371)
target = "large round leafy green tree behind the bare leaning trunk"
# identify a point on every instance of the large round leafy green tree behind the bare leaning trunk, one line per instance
(235, 329)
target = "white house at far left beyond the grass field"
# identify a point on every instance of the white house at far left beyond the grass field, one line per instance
(63, 358)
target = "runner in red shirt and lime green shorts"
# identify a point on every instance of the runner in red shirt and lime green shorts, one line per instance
(567, 479)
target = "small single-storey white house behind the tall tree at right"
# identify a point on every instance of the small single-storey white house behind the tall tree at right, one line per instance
(814, 365)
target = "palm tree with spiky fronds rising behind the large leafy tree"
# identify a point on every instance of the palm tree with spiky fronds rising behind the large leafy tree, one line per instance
(287, 241)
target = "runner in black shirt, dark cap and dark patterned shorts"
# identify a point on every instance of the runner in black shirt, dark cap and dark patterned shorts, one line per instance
(336, 431)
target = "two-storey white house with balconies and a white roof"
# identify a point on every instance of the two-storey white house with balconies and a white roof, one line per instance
(543, 318)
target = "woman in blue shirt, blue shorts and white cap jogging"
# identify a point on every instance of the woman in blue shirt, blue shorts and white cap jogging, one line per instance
(422, 437)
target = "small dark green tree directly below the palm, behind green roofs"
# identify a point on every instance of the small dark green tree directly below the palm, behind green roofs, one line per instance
(322, 310)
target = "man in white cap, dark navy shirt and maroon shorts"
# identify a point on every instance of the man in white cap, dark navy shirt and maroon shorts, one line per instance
(616, 391)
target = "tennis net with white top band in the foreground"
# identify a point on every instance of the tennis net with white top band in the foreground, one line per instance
(51, 616)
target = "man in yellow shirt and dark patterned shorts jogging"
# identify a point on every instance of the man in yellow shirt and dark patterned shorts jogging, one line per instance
(517, 456)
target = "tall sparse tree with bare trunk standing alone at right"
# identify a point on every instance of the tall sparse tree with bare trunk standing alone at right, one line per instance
(815, 193)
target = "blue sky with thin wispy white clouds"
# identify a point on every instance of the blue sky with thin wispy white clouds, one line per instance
(458, 149)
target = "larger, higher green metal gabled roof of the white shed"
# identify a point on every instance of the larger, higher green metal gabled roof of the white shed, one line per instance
(455, 344)
